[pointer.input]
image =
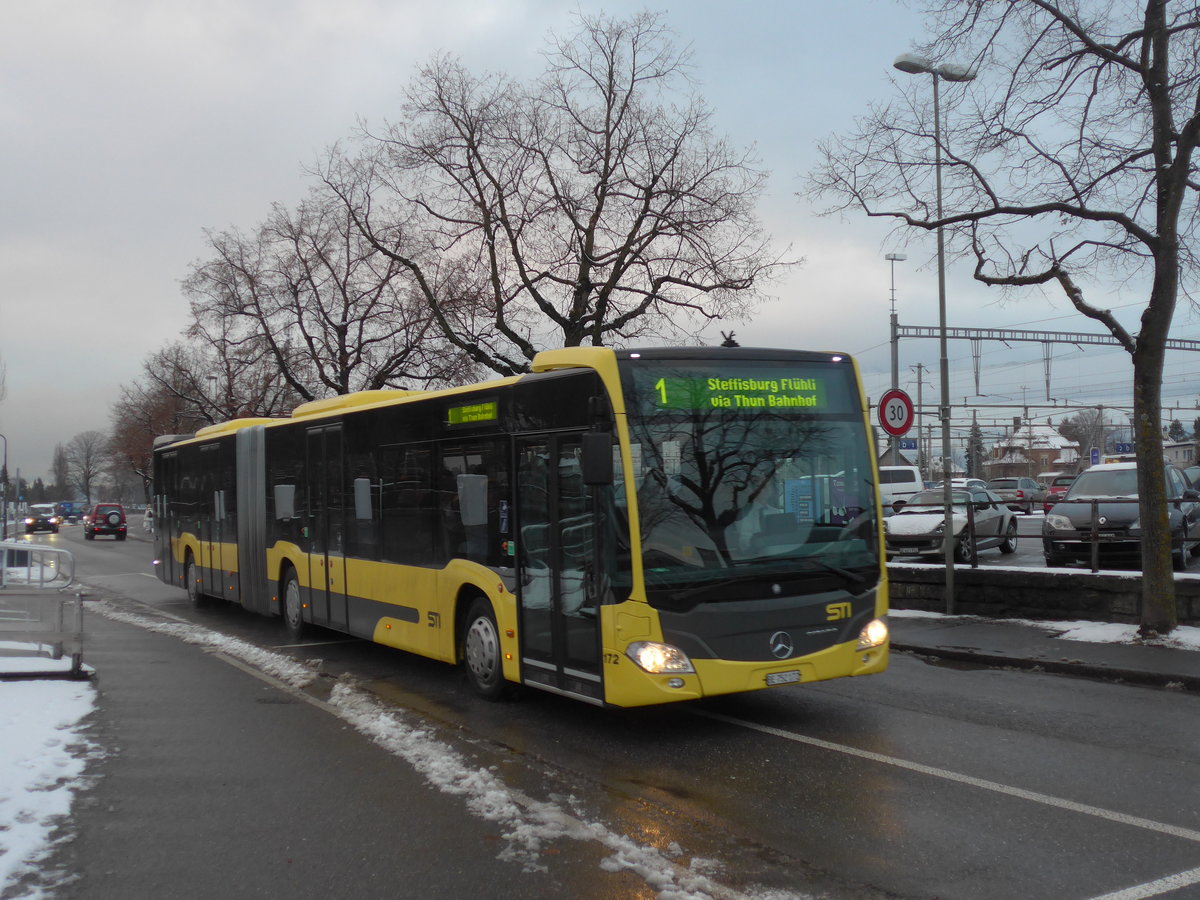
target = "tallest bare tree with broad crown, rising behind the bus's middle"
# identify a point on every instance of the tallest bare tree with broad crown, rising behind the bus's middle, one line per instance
(591, 207)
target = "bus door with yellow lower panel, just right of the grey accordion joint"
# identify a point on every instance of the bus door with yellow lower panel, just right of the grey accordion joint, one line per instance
(327, 537)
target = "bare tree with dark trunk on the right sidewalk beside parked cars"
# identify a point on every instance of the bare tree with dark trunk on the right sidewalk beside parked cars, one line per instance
(1075, 169)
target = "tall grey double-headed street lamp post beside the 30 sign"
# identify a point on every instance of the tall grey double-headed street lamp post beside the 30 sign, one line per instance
(911, 64)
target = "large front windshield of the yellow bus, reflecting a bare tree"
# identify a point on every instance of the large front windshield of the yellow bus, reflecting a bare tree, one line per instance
(752, 476)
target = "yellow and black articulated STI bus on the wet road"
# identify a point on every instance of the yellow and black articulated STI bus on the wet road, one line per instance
(626, 527)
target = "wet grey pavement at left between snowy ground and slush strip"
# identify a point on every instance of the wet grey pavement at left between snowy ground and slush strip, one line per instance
(213, 783)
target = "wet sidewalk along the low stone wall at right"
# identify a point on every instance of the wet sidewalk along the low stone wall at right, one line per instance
(1001, 643)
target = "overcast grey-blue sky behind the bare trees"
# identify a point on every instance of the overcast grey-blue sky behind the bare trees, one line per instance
(129, 128)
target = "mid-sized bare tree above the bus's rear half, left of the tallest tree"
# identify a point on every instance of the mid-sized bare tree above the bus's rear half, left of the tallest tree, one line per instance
(327, 313)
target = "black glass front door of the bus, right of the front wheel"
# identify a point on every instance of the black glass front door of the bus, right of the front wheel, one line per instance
(560, 616)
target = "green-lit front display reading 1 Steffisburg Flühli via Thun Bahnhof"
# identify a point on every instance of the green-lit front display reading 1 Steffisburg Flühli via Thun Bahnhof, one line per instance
(745, 393)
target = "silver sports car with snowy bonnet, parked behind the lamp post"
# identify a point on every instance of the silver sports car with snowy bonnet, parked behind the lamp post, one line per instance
(919, 529)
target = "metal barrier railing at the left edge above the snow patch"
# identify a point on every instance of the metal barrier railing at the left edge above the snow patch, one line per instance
(39, 619)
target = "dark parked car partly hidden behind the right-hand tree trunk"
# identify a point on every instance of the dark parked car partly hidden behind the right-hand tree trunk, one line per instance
(1112, 490)
